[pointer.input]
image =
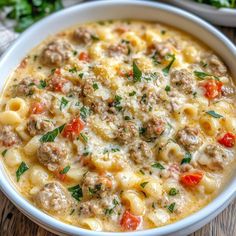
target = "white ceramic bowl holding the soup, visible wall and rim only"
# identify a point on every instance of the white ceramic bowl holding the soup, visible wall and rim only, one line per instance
(118, 9)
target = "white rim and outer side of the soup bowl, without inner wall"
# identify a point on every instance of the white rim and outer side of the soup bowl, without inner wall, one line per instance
(48, 221)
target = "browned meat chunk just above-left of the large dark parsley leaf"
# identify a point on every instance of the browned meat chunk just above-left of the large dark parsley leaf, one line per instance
(38, 124)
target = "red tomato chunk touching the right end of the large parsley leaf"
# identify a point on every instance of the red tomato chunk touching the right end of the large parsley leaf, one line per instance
(73, 129)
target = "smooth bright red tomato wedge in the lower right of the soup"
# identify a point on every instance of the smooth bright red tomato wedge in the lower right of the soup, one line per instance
(191, 179)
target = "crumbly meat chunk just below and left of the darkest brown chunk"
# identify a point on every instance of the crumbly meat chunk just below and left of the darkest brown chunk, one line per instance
(140, 152)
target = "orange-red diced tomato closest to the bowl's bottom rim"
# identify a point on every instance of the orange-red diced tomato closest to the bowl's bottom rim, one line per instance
(129, 221)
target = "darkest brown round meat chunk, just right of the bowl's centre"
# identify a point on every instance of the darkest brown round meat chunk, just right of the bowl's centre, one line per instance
(153, 128)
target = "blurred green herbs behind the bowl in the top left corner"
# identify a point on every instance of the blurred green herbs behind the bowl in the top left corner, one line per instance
(26, 12)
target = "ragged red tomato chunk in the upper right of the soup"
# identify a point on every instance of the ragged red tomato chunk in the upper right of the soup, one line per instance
(212, 88)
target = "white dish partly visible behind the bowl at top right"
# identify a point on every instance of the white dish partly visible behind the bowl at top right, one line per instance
(221, 16)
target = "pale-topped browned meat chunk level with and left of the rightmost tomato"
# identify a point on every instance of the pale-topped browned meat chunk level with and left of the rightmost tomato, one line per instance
(189, 138)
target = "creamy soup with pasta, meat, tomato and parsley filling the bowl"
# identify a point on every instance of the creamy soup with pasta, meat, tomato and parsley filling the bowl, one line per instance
(119, 125)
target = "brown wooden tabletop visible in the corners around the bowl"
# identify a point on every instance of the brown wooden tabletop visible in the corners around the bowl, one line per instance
(14, 223)
